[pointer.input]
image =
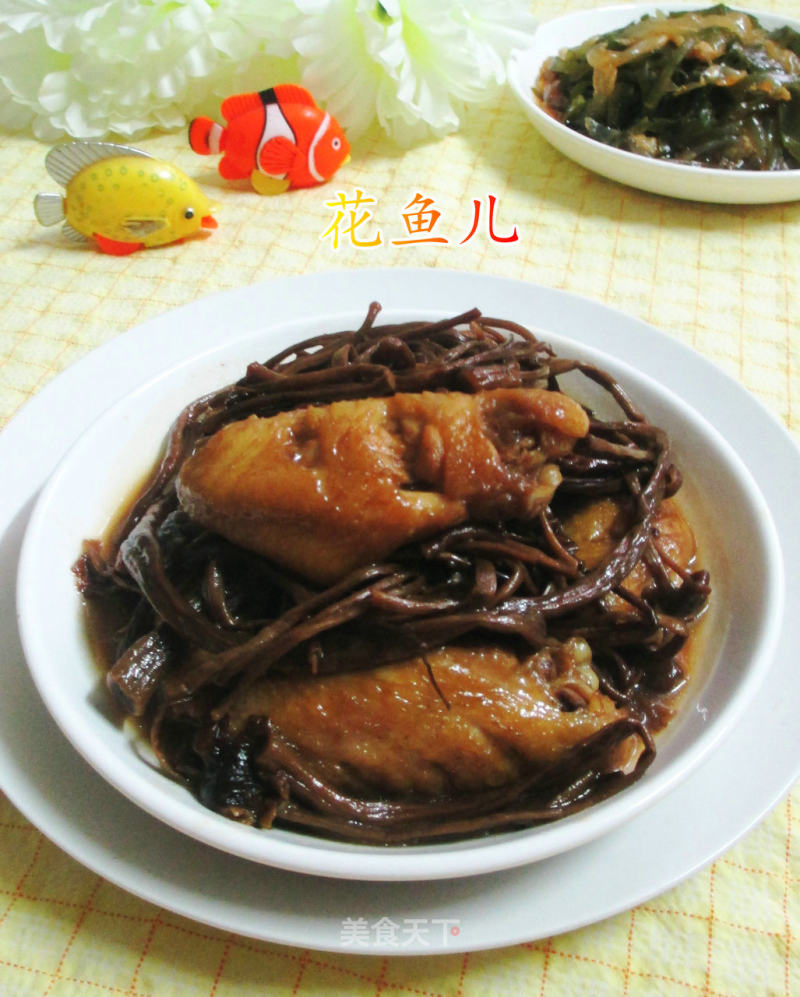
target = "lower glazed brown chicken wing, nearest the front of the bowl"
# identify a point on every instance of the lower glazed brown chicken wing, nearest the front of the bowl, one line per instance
(390, 732)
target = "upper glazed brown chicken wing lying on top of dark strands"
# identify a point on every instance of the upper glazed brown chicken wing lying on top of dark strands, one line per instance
(325, 489)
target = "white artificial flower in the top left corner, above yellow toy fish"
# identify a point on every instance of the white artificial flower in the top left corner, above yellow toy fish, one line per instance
(87, 69)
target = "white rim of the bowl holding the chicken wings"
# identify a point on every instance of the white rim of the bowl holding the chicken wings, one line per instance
(291, 850)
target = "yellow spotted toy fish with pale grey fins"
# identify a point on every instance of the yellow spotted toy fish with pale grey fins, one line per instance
(122, 198)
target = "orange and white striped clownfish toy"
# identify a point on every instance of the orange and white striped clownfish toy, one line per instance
(278, 138)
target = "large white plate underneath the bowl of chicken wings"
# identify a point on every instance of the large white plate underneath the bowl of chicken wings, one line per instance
(59, 793)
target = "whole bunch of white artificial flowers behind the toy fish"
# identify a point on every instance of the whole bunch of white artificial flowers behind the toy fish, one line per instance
(90, 68)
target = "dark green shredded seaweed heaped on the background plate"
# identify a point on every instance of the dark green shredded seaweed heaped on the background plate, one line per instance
(709, 87)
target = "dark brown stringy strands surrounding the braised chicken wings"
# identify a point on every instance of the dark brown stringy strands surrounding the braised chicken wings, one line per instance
(202, 617)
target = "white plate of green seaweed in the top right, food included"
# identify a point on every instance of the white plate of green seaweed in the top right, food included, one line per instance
(695, 103)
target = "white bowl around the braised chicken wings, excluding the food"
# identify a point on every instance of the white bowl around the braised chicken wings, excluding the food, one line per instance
(739, 546)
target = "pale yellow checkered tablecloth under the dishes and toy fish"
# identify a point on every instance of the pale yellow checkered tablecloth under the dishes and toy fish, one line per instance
(725, 280)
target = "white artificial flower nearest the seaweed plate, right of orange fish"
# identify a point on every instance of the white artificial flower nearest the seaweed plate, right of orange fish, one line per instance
(414, 64)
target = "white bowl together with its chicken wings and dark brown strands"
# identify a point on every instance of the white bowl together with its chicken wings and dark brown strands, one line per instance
(399, 597)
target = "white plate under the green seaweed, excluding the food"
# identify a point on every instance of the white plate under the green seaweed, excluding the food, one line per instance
(657, 176)
